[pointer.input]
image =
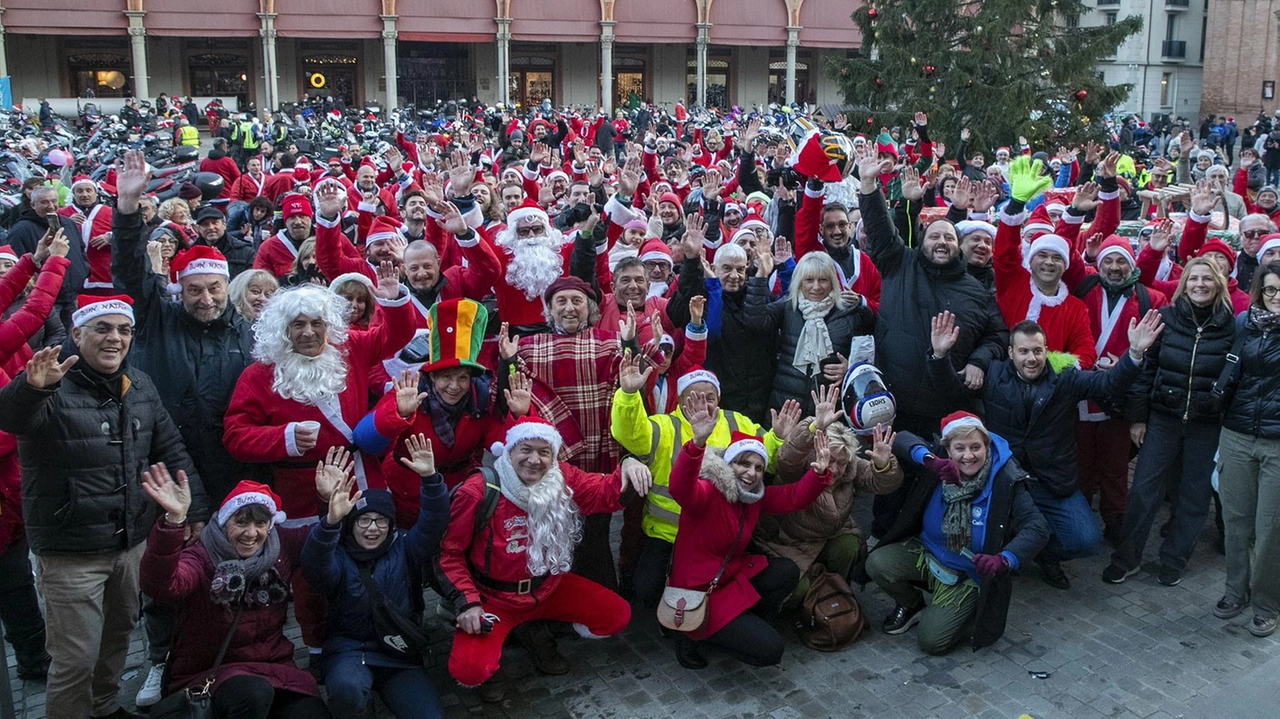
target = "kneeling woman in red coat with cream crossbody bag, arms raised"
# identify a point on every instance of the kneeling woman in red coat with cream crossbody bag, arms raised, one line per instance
(717, 519)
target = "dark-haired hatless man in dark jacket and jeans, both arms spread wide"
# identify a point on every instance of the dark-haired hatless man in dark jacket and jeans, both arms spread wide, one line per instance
(1035, 406)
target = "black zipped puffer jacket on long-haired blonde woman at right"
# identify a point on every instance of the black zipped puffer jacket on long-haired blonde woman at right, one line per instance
(1178, 377)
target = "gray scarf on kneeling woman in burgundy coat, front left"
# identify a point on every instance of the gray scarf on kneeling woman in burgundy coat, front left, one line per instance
(253, 579)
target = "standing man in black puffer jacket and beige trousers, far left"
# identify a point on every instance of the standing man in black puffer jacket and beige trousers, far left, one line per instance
(84, 445)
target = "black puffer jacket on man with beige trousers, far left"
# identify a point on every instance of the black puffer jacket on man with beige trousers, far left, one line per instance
(83, 455)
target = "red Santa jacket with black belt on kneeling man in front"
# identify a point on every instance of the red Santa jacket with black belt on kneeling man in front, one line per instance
(501, 549)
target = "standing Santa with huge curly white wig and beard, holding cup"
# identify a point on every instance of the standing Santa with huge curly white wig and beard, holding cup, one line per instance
(307, 391)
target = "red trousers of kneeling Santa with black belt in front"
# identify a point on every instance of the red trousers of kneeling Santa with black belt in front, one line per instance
(476, 658)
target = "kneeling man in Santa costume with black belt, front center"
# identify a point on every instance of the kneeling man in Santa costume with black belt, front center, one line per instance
(513, 567)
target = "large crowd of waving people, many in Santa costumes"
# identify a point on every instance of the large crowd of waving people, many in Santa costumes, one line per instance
(440, 368)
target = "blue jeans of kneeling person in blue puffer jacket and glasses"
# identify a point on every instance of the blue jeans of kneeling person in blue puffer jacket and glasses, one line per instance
(408, 693)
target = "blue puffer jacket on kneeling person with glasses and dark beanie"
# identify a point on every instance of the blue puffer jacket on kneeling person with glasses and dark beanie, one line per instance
(399, 574)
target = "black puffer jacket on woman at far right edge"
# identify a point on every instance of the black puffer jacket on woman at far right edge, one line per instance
(1255, 409)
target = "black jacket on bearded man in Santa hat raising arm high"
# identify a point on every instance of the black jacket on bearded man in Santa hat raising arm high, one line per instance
(913, 291)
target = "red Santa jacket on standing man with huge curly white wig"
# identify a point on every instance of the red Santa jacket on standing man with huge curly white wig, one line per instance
(259, 424)
